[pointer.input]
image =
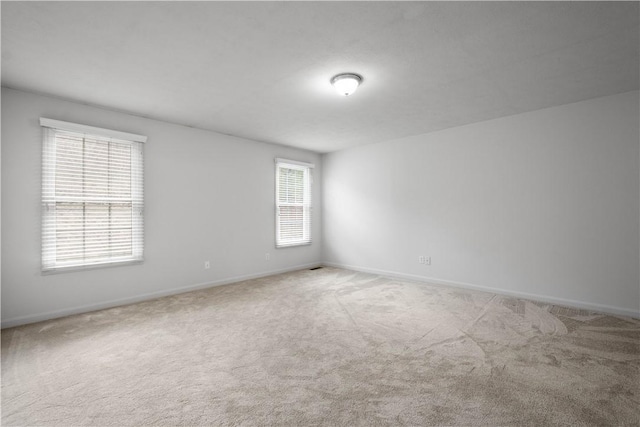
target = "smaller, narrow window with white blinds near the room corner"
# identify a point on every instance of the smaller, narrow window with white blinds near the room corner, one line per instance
(293, 203)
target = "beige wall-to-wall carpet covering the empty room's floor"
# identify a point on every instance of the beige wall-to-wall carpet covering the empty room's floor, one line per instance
(325, 347)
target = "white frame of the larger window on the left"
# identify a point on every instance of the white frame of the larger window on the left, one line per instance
(49, 198)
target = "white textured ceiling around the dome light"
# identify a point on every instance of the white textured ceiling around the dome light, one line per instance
(261, 70)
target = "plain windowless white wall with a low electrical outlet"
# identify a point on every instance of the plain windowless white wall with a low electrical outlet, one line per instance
(542, 204)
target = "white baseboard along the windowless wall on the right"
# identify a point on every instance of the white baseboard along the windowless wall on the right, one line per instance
(534, 297)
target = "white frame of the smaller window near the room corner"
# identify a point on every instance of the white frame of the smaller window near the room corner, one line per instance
(306, 204)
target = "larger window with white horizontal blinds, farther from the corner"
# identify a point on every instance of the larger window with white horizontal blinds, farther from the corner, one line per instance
(92, 196)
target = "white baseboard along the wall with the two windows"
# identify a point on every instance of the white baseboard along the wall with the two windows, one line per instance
(23, 320)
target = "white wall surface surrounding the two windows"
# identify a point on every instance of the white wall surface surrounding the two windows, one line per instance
(207, 197)
